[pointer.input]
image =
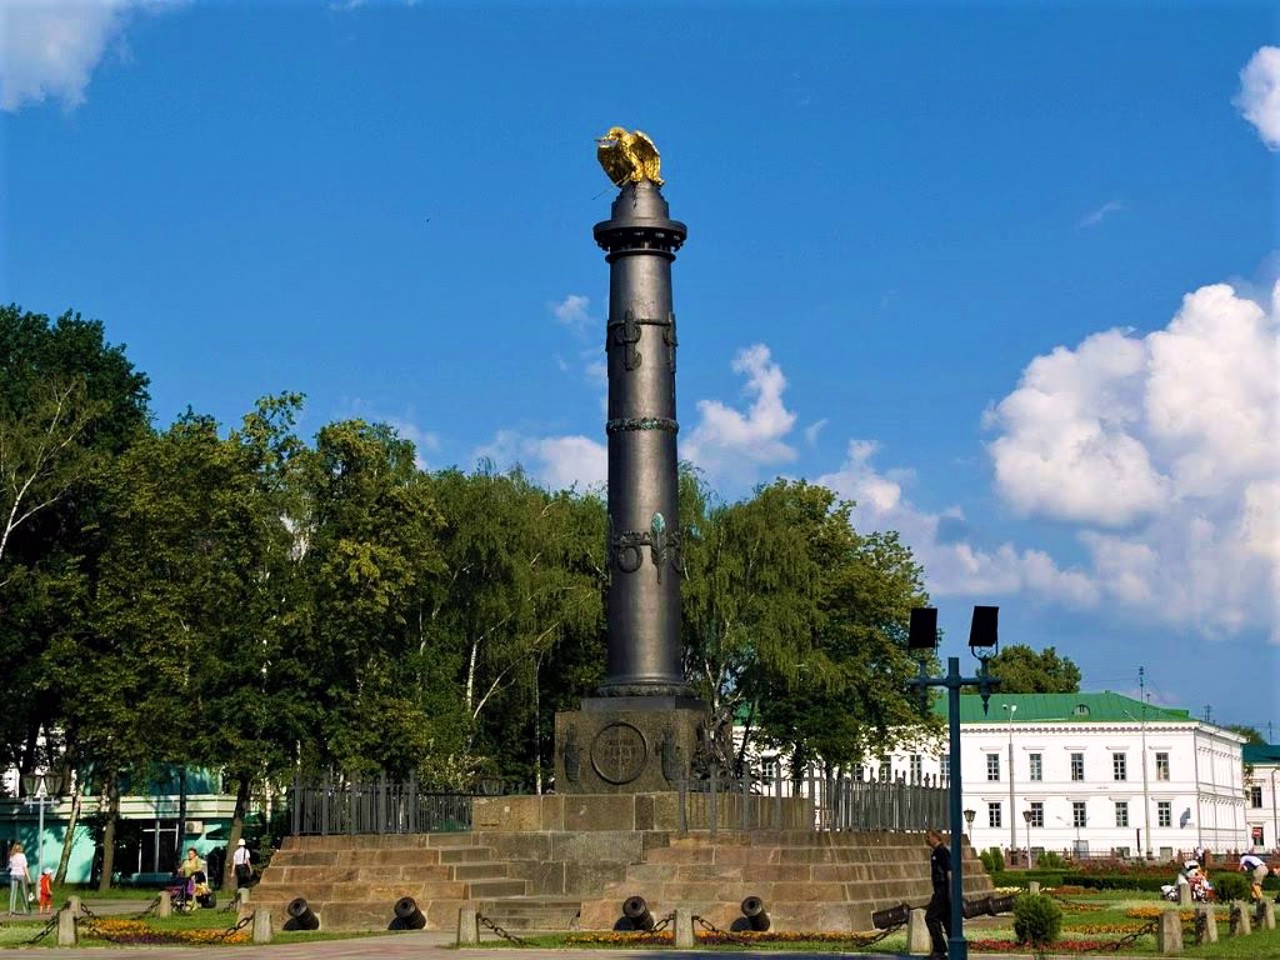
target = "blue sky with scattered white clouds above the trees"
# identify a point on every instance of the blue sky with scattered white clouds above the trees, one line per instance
(1003, 273)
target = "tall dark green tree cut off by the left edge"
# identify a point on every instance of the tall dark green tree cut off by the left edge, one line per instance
(70, 403)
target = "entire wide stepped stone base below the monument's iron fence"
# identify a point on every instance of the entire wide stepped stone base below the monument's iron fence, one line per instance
(561, 880)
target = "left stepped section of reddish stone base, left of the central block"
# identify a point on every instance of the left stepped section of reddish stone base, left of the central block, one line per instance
(353, 883)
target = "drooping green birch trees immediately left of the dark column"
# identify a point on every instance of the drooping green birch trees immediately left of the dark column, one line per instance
(519, 601)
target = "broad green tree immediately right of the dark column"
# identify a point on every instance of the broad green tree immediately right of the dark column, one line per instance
(797, 624)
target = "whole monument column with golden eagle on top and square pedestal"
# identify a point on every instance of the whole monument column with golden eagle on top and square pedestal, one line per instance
(641, 733)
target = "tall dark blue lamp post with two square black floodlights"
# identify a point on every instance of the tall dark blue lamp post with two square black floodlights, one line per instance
(922, 639)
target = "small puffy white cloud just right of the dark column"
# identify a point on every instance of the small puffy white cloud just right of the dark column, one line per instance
(728, 442)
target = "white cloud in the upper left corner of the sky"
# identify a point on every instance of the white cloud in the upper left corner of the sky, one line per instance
(51, 48)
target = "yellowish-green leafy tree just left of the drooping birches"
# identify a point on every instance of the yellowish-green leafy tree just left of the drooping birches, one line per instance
(367, 537)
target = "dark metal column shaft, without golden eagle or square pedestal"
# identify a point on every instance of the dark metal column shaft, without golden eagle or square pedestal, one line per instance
(641, 244)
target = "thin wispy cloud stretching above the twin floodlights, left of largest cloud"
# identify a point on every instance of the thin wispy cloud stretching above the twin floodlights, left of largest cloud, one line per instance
(952, 568)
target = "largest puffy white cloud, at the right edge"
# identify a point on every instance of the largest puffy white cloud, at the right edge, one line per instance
(1165, 451)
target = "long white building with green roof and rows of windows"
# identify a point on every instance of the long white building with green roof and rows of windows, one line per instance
(1094, 774)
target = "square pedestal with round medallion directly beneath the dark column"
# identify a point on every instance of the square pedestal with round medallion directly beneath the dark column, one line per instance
(628, 744)
